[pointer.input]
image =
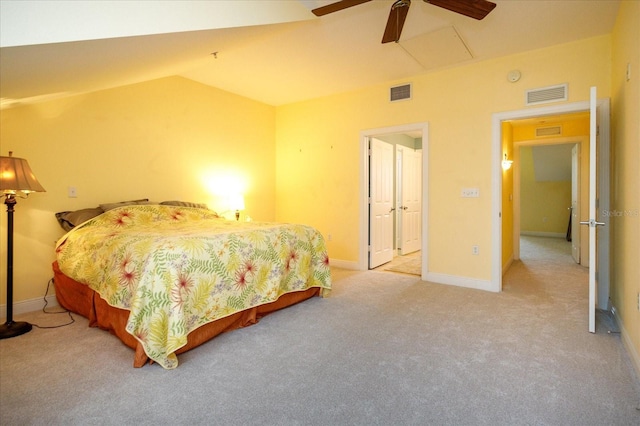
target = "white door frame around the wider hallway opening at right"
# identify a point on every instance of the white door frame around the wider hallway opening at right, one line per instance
(497, 157)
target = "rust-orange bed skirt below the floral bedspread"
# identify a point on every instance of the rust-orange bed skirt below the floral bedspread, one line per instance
(81, 299)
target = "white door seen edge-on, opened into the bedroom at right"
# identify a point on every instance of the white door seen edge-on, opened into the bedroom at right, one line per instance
(598, 201)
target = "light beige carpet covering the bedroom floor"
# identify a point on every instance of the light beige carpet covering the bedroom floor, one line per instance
(384, 349)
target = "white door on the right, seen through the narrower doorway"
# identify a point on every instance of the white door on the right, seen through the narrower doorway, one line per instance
(411, 208)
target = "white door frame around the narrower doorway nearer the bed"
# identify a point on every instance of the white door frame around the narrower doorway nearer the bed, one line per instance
(363, 244)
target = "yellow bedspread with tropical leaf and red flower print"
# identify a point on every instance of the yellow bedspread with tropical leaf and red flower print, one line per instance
(177, 268)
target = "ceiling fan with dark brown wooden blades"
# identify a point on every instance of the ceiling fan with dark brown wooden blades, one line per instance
(476, 9)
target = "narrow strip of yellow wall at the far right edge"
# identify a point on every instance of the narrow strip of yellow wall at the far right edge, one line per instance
(626, 176)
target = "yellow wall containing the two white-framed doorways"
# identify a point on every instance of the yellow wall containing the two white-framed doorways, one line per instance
(318, 162)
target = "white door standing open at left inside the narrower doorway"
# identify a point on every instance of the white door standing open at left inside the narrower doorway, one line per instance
(381, 203)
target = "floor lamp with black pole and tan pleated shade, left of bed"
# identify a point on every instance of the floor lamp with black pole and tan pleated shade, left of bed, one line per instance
(16, 178)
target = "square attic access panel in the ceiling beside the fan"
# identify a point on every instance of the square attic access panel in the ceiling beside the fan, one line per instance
(437, 49)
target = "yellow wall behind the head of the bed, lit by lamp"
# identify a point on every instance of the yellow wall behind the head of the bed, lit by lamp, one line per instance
(169, 139)
